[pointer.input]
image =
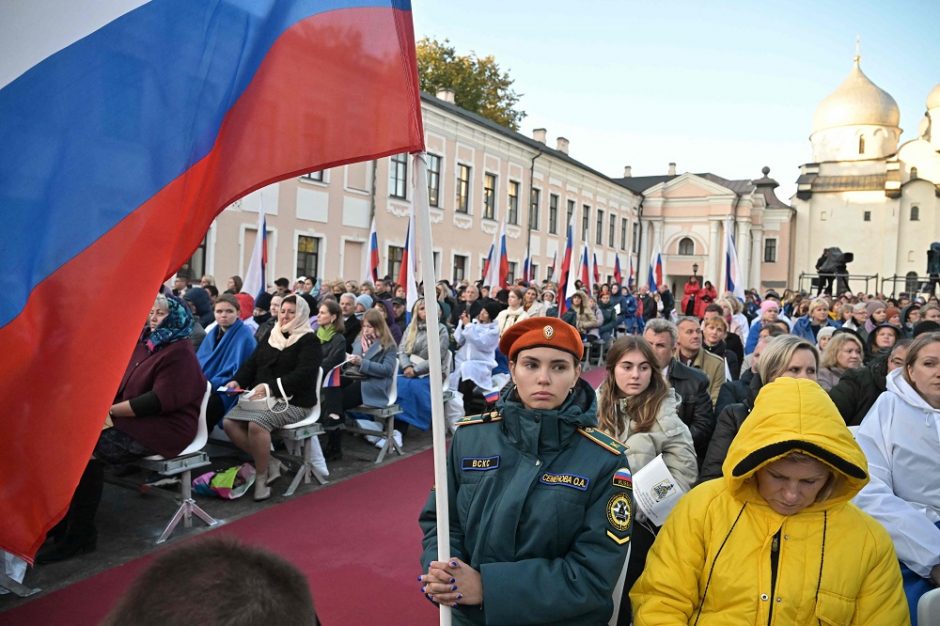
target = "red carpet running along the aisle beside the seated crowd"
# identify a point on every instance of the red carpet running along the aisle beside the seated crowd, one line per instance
(358, 542)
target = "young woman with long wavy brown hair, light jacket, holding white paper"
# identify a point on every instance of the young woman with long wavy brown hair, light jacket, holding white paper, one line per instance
(638, 408)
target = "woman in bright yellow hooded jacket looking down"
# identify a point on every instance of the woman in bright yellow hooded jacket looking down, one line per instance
(776, 540)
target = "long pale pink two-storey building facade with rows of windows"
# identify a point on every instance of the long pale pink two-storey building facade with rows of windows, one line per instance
(480, 175)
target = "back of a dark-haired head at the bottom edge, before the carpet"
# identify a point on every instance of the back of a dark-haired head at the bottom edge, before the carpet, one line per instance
(216, 582)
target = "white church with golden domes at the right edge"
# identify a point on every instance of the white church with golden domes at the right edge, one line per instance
(865, 193)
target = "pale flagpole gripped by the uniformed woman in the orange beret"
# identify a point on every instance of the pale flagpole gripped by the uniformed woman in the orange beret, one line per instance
(436, 375)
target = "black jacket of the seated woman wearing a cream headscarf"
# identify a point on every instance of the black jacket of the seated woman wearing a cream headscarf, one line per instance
(296, 366)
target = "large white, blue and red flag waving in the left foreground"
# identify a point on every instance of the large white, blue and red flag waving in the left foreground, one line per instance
(126, 127)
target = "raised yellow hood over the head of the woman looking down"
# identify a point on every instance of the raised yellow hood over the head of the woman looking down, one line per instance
(795, 415)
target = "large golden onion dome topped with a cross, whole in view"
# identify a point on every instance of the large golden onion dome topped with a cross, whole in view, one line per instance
(857, 101)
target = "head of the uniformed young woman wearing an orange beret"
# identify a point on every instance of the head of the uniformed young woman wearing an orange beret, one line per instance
(544, 360)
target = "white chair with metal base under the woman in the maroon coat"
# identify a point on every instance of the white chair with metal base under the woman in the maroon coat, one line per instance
(189, 459)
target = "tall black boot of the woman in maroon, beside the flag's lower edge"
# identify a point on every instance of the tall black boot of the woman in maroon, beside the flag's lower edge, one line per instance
(80, 535)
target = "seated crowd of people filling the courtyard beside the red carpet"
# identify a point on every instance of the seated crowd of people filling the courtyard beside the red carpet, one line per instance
(748, 404)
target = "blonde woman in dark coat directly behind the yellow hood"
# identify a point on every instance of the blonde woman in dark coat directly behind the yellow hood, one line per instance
(784, 356)
